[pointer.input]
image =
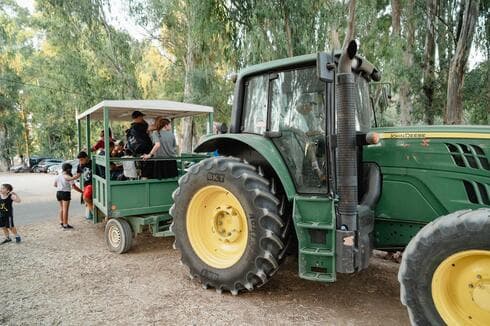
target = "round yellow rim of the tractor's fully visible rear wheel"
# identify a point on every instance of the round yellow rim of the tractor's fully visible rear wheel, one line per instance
(217, 227)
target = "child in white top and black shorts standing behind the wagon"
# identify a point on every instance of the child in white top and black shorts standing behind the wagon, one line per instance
(64, 182)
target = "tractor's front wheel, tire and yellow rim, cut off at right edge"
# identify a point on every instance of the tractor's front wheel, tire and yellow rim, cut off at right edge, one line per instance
(445, 271)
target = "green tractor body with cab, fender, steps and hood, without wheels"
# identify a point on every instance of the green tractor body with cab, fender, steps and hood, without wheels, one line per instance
(425, 172)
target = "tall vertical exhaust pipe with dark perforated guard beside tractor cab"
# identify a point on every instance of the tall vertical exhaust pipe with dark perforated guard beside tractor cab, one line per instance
(346, 162)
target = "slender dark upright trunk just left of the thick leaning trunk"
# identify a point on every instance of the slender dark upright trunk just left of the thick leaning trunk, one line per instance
(429, 69)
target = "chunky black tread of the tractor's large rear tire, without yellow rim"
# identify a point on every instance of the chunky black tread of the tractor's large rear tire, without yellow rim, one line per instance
(267, 260)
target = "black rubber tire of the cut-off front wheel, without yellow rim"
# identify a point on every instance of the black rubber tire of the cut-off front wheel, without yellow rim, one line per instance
(447, 234)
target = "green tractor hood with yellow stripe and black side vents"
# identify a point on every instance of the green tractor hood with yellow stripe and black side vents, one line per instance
(427, 172)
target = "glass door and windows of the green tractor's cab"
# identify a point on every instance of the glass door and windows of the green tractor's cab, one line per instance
(296, 110)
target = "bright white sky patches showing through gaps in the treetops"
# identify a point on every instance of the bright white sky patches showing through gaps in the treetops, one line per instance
(119, 17)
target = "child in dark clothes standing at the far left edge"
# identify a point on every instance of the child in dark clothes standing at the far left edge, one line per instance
(7, 197)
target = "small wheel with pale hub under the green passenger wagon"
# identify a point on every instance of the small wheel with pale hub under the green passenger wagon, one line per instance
(118, 235)
